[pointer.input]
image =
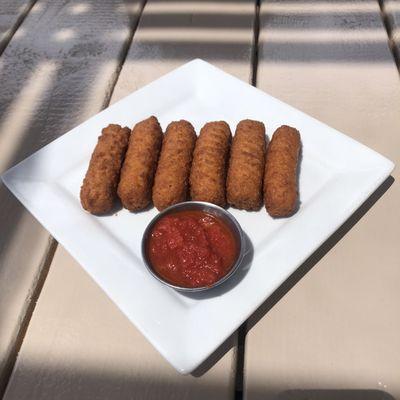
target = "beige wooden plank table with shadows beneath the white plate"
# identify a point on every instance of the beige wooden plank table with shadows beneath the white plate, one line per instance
(332, 330)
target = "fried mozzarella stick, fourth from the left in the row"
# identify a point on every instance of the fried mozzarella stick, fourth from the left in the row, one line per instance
(208, 173)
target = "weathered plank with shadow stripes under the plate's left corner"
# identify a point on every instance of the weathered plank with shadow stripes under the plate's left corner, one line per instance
(54, 74)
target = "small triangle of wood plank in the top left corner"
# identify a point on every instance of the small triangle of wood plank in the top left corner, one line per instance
(12, 13)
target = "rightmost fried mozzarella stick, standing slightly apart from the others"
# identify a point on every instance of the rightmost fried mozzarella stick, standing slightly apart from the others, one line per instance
(280, 179)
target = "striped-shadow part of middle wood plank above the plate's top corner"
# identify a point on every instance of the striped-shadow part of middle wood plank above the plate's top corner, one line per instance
(172, 33)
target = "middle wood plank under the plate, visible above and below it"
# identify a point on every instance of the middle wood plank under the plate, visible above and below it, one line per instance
(91, 350)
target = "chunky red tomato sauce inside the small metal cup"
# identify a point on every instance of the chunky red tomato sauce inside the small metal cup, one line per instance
(192, 248)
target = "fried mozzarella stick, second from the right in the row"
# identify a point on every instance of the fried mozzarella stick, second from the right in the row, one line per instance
(246, 166)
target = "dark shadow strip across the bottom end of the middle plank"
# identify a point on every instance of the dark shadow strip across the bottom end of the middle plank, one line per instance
(109, 381)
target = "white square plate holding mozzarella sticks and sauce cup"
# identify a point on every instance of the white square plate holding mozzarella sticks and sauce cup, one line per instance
(337, 175)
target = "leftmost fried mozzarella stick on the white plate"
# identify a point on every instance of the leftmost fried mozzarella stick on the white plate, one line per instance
(99, 188)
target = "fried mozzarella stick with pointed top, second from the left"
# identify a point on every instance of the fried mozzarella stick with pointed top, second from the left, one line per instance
(140, 164)
